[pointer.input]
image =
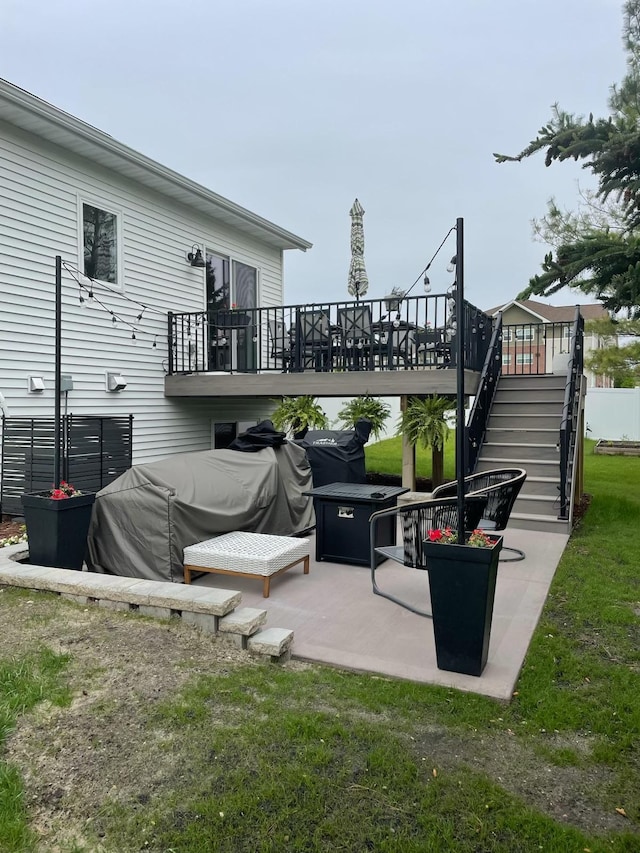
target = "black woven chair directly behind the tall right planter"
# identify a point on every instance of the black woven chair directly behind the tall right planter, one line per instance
(416, 520)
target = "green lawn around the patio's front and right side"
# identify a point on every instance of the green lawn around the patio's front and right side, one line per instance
(315, 759)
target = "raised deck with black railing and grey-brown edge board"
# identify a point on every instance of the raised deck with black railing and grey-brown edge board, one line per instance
(376, 346)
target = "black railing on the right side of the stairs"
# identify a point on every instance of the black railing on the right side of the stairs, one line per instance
(570, 414)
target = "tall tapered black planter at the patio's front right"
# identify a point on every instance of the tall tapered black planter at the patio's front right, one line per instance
(462, 584)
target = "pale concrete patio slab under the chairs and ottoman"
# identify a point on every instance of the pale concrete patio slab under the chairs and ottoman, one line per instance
(337, 619)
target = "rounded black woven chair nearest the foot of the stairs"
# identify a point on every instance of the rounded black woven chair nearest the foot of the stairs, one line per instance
(501, 487)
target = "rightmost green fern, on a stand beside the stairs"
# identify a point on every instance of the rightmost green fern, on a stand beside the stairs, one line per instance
(423, 423)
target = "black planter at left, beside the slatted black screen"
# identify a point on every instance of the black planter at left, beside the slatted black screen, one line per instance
(57, 529)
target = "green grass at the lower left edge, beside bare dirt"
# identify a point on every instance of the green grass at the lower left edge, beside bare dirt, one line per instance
(24, 682)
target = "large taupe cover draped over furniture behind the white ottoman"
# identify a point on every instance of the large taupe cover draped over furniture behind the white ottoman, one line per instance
(143, 520)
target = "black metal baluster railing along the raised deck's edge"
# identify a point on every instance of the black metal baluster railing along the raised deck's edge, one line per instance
(378, 334)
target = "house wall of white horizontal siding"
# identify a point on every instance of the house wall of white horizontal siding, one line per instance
(42, 190)
